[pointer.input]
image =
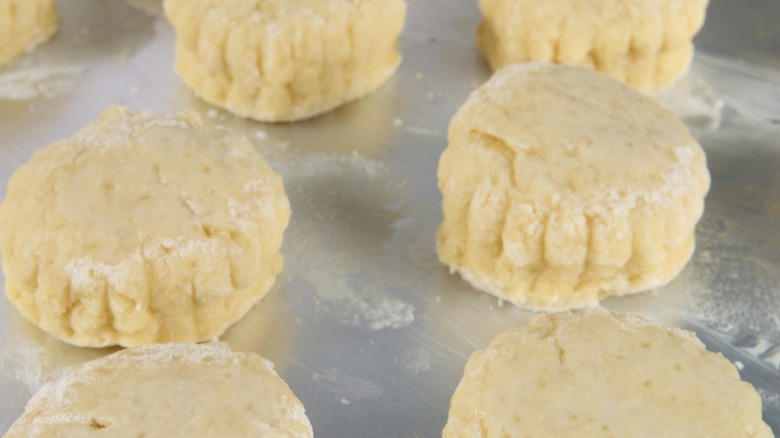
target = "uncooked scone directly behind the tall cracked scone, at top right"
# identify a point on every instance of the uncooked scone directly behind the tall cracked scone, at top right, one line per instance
(643, 43)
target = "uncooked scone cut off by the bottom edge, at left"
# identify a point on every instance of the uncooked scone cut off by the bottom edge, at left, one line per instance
(167, 390)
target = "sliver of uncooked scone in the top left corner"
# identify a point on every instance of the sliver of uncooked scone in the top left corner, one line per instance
(24, 24)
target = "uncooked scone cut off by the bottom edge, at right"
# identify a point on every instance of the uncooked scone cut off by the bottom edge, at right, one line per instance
(599, 374)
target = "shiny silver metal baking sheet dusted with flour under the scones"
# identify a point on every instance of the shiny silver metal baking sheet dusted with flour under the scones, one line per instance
(369, 330)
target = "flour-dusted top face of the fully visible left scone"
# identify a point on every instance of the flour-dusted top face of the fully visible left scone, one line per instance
(133, 179)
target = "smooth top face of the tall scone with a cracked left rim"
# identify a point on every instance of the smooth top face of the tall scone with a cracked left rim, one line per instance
(581, 138)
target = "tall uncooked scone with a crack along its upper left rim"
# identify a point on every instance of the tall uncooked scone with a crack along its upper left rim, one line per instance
(562, 186)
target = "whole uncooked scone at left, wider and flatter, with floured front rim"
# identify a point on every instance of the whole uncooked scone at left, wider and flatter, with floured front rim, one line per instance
(142, 228)
